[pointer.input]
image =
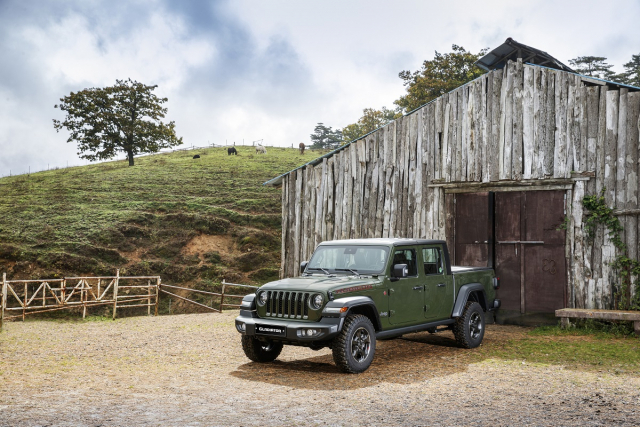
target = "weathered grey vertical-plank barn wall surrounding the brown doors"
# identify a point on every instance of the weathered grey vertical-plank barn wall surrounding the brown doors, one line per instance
(517, 127)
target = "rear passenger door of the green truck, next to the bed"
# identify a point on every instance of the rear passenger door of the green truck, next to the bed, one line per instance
(438, 296)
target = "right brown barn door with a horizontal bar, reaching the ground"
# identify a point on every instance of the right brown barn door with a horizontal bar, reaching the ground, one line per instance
(530, 250)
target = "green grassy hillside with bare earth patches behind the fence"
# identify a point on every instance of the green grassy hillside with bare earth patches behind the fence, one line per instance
(193, 221)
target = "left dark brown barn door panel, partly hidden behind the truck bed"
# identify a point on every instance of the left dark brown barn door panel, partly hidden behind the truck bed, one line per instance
(473, 229)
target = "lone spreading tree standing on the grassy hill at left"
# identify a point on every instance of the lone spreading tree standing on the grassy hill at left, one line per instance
(125, 118)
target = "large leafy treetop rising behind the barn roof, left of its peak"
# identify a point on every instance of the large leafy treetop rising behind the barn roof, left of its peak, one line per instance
(442, 74)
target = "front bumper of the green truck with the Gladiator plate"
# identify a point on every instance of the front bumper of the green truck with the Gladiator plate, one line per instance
(289, 330)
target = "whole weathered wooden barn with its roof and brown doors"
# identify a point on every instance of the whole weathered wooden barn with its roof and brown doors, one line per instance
(499, 168)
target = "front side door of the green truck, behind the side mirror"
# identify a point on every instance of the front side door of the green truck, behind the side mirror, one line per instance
(406, 295)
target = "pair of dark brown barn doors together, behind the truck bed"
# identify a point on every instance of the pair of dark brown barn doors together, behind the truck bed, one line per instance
(522, 237)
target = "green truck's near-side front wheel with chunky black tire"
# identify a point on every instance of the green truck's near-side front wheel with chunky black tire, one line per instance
(354, 348)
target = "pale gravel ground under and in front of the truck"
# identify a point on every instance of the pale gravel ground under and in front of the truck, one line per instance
(190, 370)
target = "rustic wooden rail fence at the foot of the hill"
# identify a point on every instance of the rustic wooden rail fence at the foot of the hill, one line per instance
(20, 298)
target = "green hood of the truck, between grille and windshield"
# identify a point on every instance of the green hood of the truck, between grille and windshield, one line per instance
(320, 283)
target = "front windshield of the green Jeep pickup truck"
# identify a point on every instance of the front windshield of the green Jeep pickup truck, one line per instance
(360, 259)
